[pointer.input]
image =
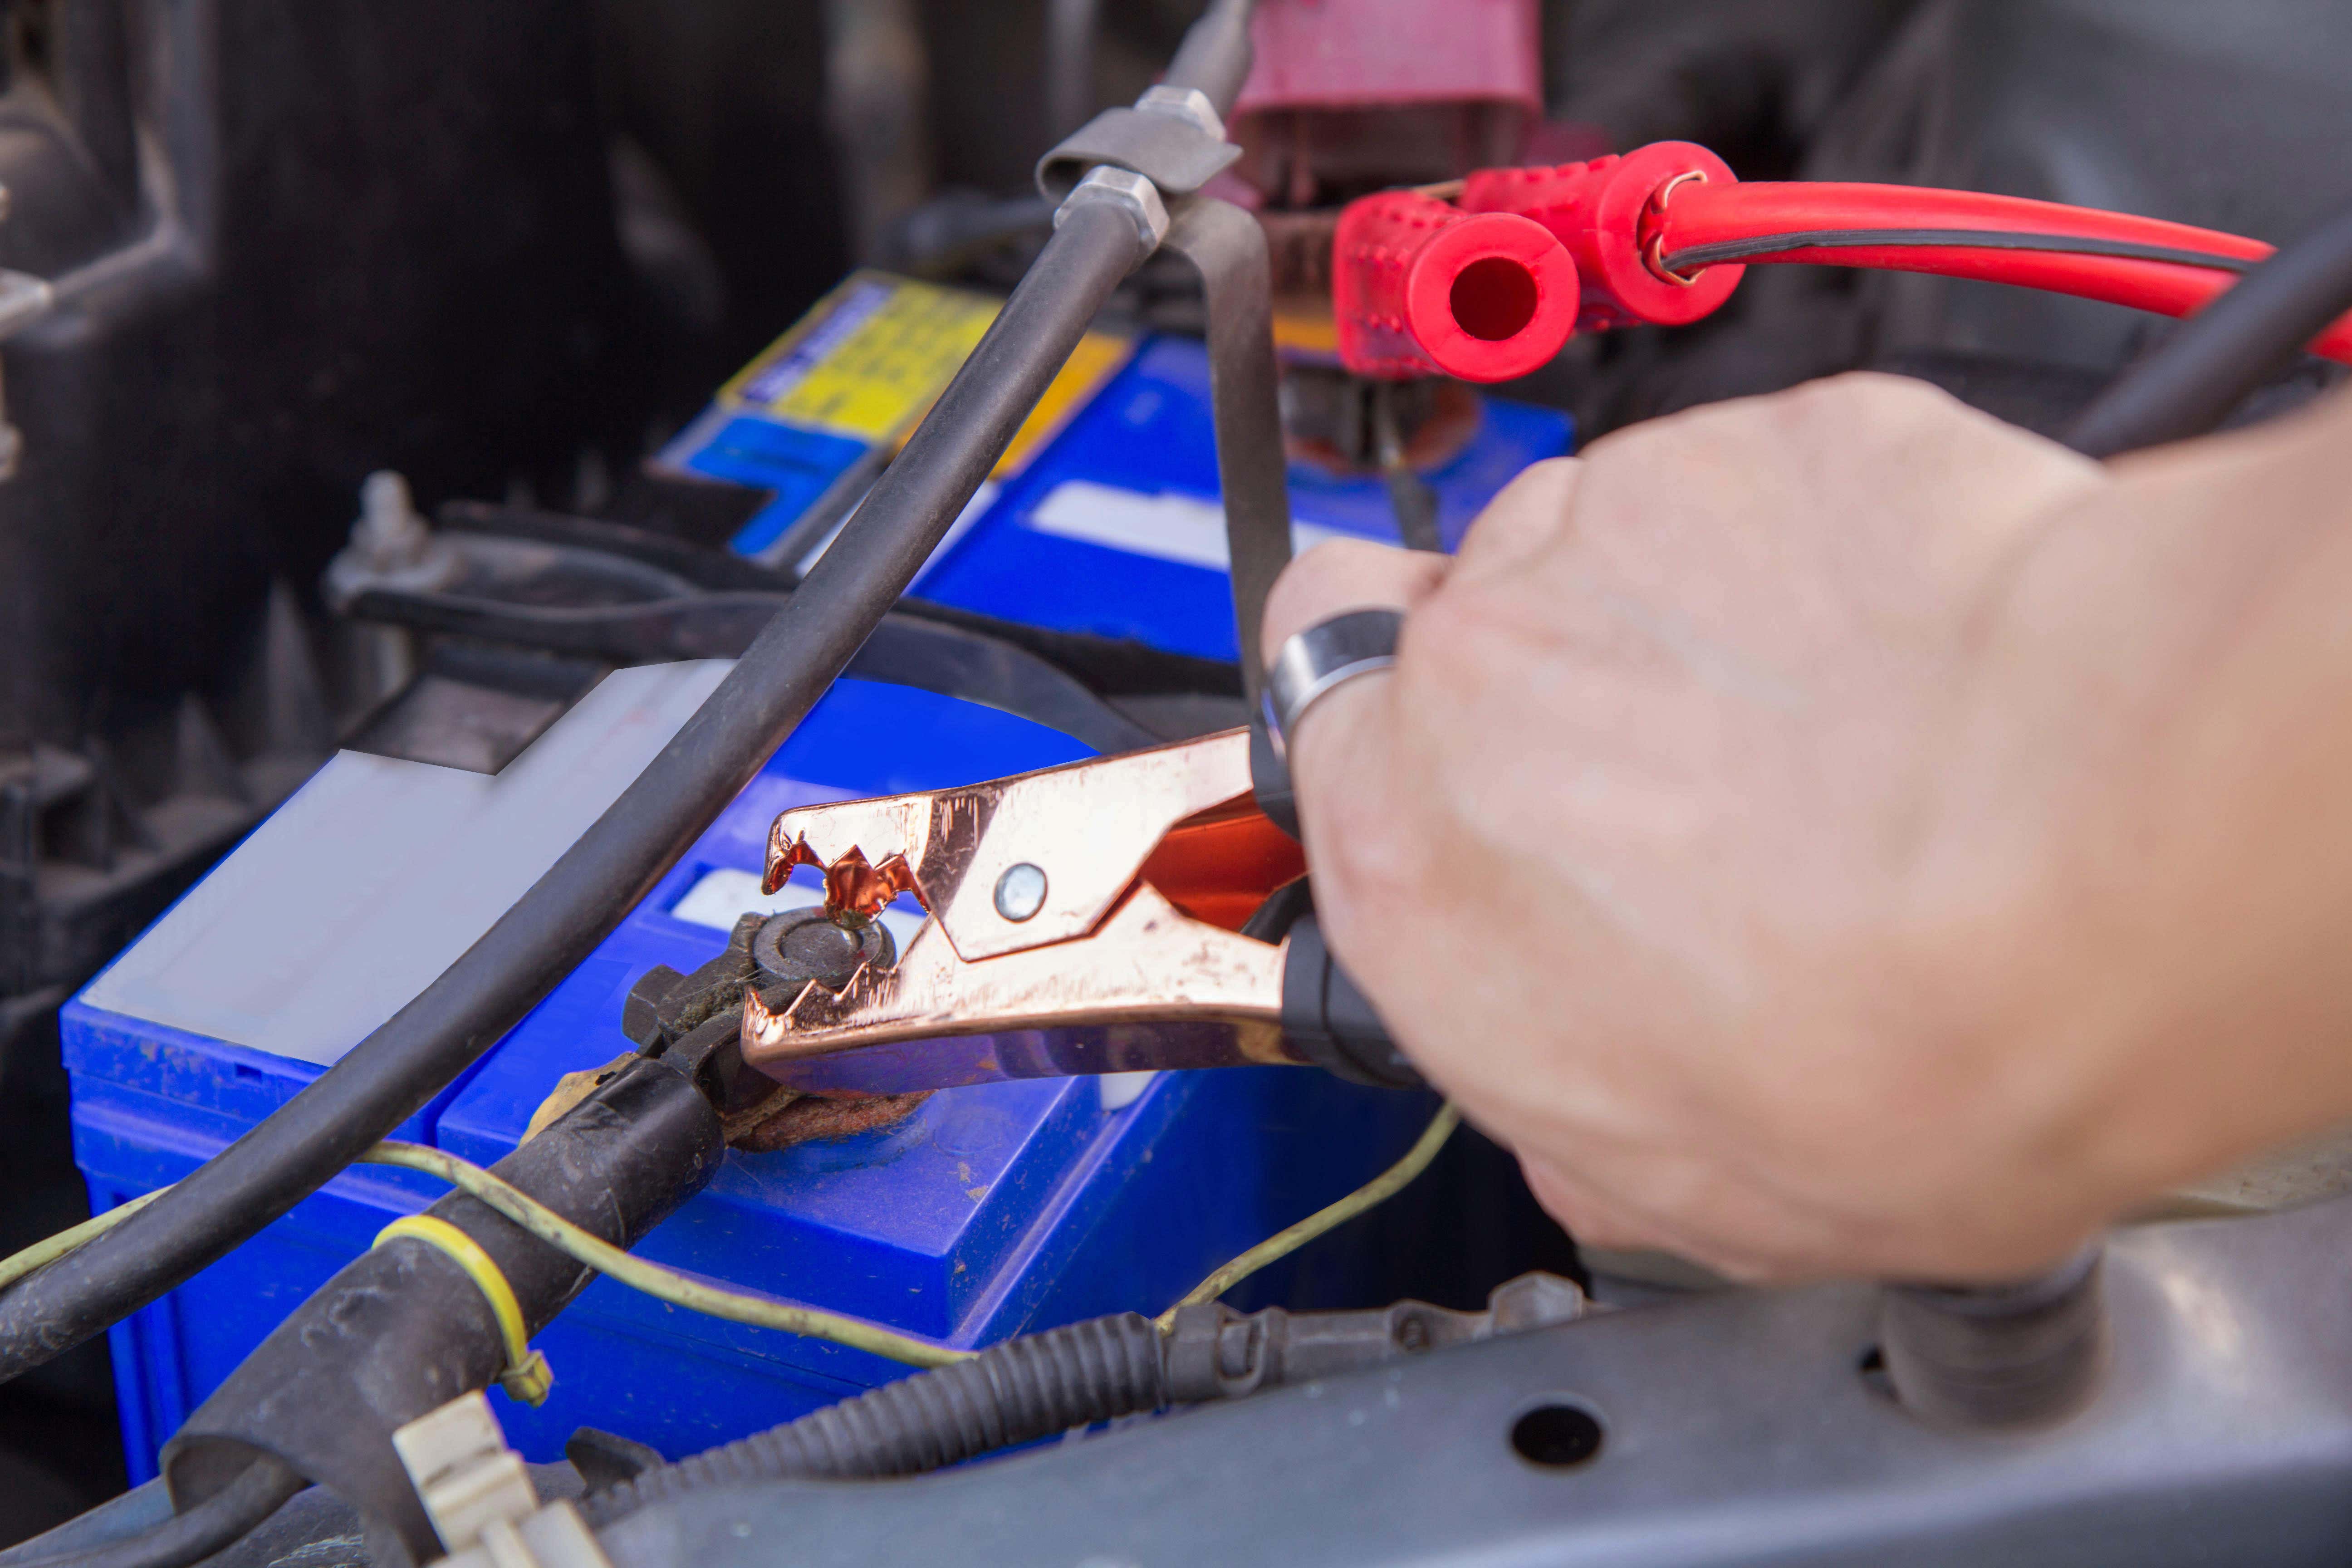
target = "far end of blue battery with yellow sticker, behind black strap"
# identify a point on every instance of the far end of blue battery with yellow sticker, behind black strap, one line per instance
(1102, 516)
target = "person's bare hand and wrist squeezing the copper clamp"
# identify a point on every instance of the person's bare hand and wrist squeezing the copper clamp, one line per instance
(1770, 831)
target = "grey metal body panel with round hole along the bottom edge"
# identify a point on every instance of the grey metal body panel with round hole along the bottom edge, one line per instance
(1737, 1430)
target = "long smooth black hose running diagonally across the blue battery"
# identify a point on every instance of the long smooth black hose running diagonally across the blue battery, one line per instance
(415, 1054)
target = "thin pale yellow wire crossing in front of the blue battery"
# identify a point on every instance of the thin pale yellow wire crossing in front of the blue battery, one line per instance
(763, 1311)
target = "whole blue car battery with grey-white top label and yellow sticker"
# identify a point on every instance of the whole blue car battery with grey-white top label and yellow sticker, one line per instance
(989, 1212)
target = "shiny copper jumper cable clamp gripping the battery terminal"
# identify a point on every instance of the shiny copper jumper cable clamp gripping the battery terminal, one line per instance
(1109, 916)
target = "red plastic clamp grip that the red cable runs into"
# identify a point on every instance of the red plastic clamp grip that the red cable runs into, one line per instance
(1608, 215)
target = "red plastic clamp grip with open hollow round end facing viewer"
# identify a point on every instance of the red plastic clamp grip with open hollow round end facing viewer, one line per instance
(1419, 286)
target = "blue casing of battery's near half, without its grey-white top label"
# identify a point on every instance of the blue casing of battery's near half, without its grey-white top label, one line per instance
(991, 1212)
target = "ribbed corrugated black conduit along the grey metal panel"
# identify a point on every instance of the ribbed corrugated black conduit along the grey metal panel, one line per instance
(1008, 1395)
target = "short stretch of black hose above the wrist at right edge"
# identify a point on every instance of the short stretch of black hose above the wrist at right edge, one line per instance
(2224, 354)
